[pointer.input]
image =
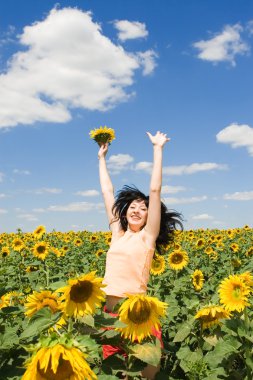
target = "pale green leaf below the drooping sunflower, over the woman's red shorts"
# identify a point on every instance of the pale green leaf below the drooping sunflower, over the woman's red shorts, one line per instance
(147, 352)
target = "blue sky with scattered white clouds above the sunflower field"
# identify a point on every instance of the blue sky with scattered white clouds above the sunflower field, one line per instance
(184, 67)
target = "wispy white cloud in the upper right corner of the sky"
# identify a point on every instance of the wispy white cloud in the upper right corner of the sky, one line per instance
(223, 46)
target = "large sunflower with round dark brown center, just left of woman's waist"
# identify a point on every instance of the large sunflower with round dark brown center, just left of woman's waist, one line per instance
(82, 295)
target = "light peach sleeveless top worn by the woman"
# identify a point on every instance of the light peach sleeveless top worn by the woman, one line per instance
(128, 264)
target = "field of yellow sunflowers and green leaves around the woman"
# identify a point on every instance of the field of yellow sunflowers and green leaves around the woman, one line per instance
(53, 323)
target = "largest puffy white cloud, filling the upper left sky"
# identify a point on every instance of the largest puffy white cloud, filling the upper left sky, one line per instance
(65, 62)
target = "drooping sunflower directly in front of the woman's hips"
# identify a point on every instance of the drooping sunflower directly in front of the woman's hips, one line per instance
(140, 314)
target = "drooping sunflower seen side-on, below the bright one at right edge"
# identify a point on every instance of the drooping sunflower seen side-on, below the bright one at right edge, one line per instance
(211, 315)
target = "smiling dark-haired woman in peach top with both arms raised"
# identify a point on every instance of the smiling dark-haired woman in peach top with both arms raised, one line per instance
(139, 224)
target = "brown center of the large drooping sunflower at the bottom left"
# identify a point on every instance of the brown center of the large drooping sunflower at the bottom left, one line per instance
(64, 371)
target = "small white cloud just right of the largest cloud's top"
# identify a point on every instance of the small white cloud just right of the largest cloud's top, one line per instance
(130, 29)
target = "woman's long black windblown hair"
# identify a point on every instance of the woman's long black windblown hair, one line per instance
(169, 219)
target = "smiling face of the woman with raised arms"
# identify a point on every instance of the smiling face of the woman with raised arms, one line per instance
(137, 214)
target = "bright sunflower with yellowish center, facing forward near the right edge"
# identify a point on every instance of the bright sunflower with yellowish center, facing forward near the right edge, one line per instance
(233, 293)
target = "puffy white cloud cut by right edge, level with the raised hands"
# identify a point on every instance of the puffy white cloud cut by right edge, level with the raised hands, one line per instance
(237, 136)
